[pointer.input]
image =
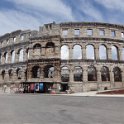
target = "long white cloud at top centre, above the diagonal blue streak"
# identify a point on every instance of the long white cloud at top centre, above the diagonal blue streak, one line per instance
(52, 7)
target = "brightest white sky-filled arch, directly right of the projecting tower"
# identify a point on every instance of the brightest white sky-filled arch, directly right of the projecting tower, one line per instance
(64, 52)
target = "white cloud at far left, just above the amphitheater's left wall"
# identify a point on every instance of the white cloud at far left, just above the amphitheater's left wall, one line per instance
(14, 20)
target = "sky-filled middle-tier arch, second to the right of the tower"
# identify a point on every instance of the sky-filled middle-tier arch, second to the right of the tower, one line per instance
(77, 52)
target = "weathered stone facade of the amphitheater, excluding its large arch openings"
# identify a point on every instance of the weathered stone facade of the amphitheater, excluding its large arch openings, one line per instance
(37, 51)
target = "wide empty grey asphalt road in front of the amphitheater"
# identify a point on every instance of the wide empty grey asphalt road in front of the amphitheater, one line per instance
(42, 109)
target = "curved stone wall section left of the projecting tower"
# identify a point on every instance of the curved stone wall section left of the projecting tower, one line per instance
(13, 69)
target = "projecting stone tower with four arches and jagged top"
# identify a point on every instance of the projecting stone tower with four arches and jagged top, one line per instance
(43, 66)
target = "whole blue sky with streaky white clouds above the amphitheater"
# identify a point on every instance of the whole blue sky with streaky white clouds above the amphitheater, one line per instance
(30, 14)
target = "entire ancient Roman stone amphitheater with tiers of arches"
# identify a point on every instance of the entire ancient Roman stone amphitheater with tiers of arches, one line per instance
(73, 56)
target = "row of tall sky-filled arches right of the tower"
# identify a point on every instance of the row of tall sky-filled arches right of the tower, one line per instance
(102, 52)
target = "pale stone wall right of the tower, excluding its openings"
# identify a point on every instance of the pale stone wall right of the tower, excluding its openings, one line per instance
(83, 39)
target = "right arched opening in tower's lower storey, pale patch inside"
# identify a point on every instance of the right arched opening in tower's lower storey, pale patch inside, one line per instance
(49, 71)
